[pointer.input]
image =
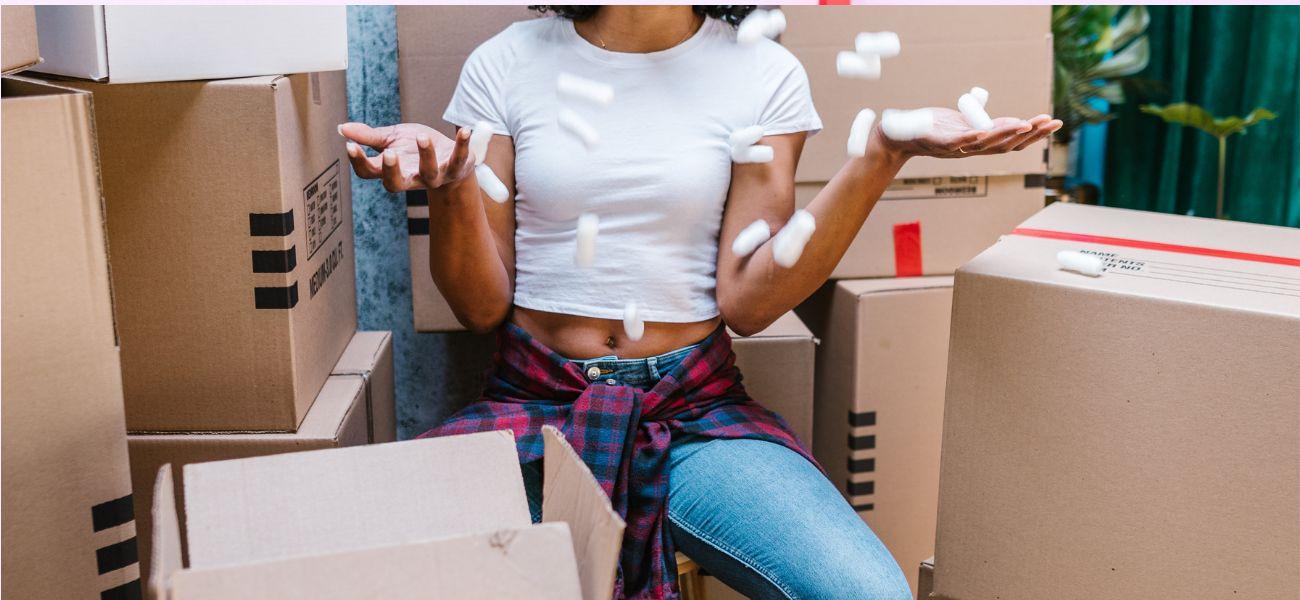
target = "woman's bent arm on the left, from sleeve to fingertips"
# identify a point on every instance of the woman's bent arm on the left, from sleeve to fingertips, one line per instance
(471, 237)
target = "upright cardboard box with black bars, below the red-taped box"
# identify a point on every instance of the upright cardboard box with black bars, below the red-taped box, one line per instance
(881, 403)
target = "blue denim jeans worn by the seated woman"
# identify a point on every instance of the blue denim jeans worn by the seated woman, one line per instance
(756, 515)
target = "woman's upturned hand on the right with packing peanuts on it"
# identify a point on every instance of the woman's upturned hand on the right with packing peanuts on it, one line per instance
(954, 137)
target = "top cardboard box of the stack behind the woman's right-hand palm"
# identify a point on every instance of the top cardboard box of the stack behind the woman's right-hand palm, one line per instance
(946, 51)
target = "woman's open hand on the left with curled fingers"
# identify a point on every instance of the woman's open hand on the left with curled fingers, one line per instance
(411, 156)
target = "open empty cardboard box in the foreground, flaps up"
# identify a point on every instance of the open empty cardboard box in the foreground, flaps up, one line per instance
(443, 518)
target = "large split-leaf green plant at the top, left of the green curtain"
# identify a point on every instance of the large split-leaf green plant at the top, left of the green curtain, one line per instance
(1095, 59)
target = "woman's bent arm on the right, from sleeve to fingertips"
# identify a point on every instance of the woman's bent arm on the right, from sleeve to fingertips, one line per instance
(753, 292)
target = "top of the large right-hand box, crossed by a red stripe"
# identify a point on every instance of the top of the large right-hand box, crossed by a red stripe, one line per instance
(1181, 259)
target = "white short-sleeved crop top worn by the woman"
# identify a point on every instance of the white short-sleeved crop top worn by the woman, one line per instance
(660, 176)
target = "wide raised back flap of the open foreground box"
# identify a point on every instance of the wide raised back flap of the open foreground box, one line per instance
(305, 503)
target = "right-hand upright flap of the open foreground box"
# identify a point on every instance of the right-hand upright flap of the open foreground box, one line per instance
(571, 495)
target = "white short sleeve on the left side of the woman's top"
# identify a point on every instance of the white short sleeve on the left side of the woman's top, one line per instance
(480, 93)
